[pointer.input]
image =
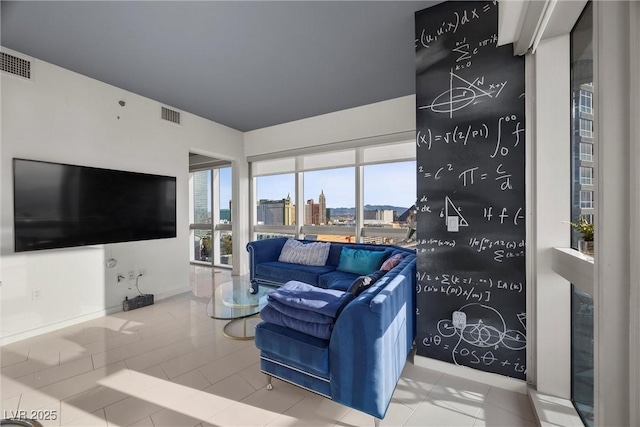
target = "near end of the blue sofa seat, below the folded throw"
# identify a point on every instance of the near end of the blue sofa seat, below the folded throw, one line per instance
(304, 352)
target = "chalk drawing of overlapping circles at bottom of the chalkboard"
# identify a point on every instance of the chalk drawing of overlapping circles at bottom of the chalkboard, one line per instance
(481, 339)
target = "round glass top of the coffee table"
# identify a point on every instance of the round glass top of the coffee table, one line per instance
(232, 300)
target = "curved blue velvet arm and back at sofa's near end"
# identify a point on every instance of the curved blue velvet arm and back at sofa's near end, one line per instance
(370, 343)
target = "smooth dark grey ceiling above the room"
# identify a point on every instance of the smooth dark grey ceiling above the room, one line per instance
(244, 64)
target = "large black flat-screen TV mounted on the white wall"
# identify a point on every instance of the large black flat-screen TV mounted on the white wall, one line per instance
(59, 206)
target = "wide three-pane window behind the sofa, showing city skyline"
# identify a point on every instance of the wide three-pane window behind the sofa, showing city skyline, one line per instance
(332, 197)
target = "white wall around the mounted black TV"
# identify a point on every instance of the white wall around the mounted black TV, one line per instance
(61, 116)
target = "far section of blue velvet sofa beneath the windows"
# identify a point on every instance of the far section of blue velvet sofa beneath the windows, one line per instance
(264, 267)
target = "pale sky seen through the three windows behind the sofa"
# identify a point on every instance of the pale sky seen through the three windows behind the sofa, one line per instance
(385, 184)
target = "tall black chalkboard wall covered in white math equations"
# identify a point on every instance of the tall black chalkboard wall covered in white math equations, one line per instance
(471, 190)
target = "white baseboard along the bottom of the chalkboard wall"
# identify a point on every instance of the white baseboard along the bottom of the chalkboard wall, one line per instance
(494, 380)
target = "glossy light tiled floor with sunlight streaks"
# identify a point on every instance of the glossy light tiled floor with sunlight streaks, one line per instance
(169, 365)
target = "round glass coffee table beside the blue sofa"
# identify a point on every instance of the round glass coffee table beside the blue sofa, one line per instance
(233, 301)
